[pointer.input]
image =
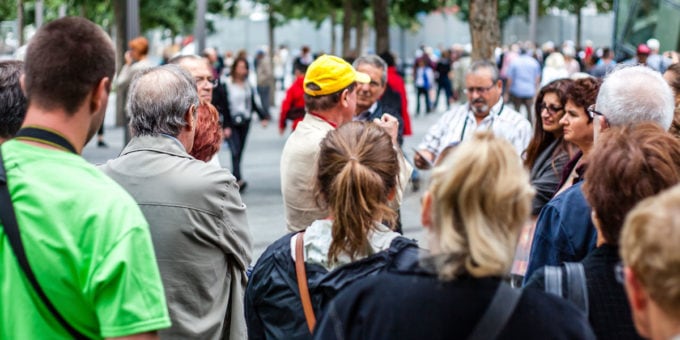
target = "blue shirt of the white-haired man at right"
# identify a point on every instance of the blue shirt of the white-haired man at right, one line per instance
(564, 231)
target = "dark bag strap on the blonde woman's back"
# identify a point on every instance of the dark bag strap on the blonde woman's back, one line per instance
(497, 314)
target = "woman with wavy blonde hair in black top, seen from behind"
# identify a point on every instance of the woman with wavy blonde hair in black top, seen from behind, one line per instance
(478, 200)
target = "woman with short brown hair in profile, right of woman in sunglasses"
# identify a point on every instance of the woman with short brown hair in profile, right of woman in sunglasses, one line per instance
(577, 123)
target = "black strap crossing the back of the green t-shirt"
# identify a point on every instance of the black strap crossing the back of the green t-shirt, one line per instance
(9, 223)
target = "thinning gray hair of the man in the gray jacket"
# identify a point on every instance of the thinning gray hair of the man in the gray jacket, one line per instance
(158, 99)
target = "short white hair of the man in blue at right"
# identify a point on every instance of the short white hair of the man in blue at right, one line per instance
(636, 94)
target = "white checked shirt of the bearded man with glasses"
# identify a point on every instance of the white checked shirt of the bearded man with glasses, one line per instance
(459, 124)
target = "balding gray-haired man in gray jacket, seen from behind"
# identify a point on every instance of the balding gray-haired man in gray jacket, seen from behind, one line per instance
(197, 219)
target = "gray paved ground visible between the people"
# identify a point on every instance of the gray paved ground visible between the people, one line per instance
(261, 170)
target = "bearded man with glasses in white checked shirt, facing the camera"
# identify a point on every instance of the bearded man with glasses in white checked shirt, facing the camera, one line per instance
(485, 110)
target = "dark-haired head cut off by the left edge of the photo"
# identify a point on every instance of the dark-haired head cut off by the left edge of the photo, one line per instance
(12, 100)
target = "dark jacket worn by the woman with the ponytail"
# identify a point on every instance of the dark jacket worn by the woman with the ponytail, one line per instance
(272, 302)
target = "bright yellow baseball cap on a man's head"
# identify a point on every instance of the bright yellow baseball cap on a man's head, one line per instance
(331, 74)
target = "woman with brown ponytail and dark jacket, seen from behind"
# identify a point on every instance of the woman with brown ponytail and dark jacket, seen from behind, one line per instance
(356, 178)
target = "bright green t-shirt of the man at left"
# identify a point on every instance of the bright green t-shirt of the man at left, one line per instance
(88, 244)
